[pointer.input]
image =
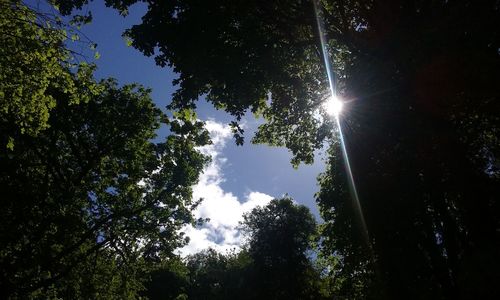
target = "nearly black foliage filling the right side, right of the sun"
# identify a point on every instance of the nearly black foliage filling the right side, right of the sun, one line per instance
(417, 152)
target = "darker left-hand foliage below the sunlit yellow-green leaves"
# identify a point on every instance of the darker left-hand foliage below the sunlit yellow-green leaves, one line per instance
(92, 192)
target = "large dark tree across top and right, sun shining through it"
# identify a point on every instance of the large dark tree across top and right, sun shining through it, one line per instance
(421, 127)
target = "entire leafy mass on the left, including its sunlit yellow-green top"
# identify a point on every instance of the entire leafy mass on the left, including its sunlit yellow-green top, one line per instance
(88, 202)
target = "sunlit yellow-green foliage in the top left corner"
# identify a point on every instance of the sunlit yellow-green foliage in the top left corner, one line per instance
(33, 59)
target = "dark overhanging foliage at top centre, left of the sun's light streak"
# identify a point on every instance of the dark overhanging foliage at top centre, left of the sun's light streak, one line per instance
(274, 46)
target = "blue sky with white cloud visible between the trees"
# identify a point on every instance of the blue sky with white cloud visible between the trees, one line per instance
(239, 177)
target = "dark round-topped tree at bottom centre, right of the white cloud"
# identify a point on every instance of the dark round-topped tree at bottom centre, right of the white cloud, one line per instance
(280, 238)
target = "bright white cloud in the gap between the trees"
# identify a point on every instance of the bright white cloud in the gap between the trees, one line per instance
(223, 208)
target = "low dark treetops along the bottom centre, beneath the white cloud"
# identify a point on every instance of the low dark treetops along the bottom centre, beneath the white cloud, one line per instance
(273, 265)
